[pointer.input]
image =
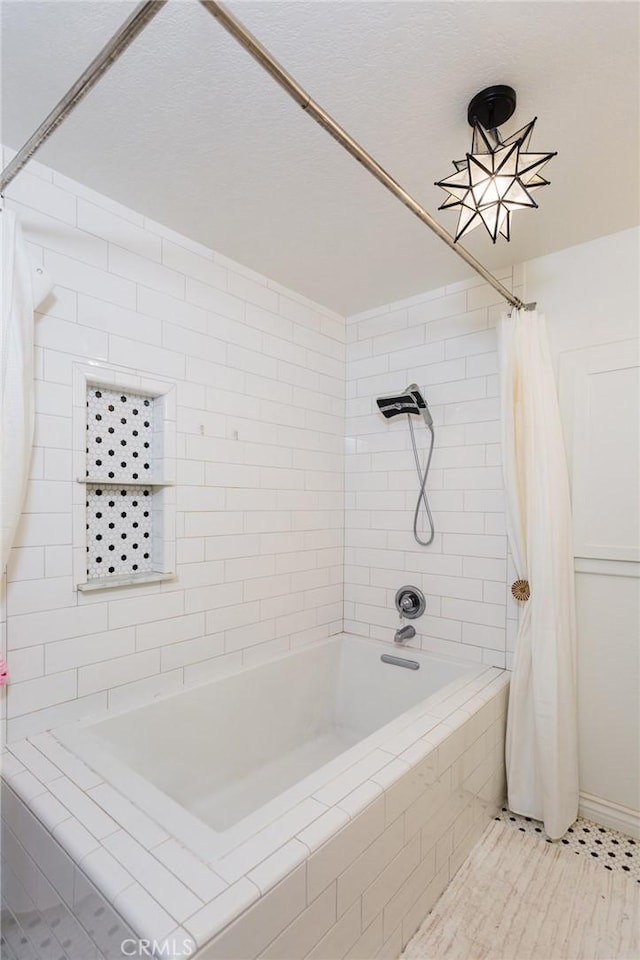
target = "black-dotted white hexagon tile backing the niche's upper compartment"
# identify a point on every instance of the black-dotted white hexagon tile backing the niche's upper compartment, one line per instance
(119, 435)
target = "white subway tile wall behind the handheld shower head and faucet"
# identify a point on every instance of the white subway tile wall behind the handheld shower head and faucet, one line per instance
(445, 341)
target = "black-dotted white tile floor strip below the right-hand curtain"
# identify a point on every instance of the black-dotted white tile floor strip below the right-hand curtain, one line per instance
(609, 848)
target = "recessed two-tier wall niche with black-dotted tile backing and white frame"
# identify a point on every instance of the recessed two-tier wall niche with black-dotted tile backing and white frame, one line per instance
(124, 510)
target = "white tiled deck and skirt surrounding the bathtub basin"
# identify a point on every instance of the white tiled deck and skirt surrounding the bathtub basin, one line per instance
(356, 882)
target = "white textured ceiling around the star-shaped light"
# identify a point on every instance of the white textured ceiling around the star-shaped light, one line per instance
(188, 130)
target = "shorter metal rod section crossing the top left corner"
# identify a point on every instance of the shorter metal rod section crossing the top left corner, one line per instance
(118, 43)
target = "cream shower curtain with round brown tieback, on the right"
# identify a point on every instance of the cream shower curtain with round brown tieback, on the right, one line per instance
(541, 747)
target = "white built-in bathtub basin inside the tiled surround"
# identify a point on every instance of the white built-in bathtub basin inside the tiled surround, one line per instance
(226, 750)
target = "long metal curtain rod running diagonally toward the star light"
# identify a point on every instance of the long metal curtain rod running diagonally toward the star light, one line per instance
(293, 88)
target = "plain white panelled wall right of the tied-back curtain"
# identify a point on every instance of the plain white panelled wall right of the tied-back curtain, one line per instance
(589, 295)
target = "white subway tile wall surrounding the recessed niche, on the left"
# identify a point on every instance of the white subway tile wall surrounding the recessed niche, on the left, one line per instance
(260, 388)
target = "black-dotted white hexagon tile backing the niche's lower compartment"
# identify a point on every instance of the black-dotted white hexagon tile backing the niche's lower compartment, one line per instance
(119, 531)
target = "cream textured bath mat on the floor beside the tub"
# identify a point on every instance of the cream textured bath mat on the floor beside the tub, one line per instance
(517, 897)
